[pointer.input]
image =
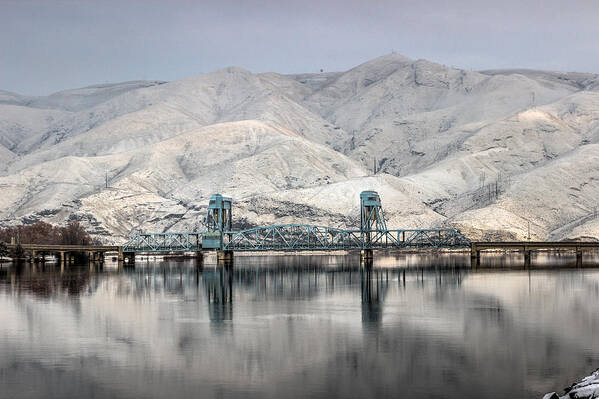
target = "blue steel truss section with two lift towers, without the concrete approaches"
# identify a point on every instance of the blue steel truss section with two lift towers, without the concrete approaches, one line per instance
(372, 234)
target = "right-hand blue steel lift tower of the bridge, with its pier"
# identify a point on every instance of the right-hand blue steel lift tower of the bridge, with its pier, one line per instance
(372, 219)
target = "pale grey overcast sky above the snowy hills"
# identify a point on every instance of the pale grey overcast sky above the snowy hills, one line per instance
(48, 45)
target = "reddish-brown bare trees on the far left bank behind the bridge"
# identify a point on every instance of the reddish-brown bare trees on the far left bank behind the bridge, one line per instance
(45, 233)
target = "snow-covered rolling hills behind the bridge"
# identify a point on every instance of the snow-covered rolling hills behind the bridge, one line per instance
(488, 152)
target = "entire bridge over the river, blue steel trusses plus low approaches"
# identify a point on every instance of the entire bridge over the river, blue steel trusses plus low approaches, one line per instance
(372, 234)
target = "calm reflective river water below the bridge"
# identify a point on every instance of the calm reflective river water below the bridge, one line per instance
(297, 327)
